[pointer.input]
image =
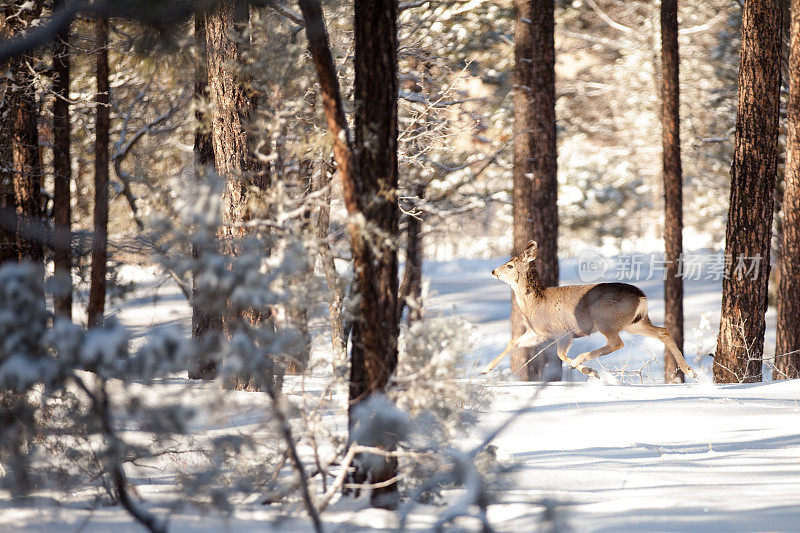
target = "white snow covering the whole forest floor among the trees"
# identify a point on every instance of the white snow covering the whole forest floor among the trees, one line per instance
(636, 455)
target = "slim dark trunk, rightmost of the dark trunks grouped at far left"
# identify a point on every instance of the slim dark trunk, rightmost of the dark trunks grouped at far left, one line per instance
(97, 289)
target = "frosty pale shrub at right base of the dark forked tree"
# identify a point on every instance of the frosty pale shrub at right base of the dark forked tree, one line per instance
(427, 409)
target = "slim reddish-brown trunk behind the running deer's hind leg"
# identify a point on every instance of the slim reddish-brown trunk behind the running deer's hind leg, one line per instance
(673, 185)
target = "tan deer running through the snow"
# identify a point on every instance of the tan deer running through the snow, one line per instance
(565, 313)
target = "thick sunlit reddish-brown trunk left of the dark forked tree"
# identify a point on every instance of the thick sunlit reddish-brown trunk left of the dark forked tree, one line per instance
(233, 106)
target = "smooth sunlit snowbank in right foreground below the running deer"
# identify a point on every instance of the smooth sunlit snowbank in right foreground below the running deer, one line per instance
(694, 457)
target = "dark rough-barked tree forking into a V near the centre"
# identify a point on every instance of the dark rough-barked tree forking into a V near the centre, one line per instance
(369, 183)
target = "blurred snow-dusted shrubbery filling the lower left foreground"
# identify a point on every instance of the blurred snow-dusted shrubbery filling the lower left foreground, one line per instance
(89, 404)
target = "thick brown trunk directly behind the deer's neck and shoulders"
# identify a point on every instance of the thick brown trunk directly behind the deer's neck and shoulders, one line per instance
(535, 165)
